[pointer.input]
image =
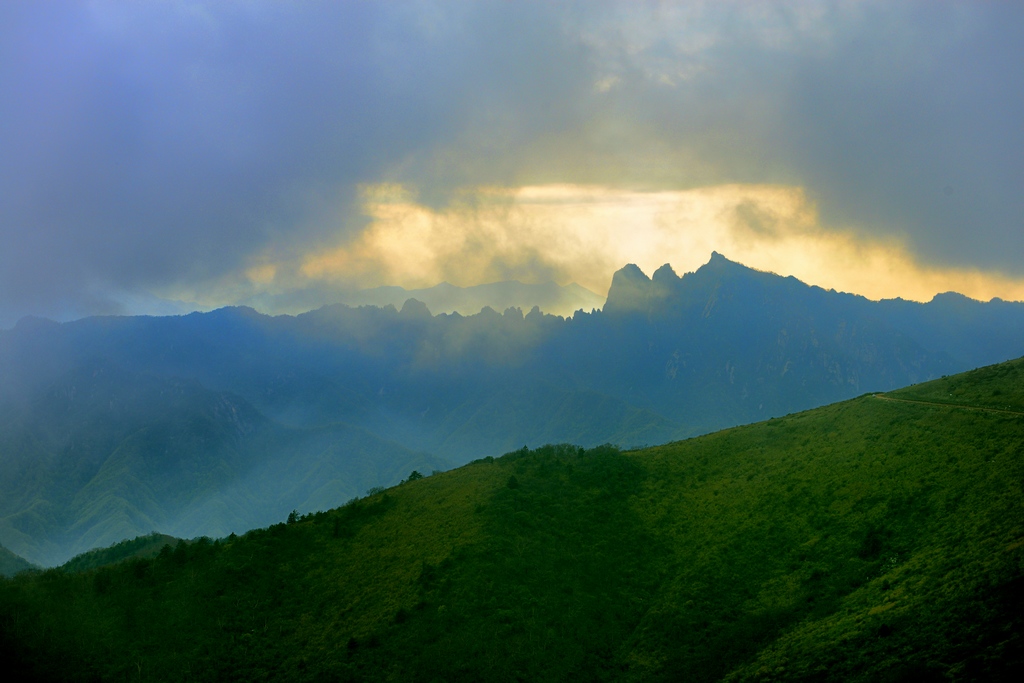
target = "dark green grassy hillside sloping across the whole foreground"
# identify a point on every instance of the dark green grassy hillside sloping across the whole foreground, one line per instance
(877, 539)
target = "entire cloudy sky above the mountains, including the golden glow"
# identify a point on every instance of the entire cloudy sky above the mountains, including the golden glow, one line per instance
(158, 157)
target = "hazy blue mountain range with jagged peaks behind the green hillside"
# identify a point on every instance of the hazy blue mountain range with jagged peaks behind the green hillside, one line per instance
(212, 423)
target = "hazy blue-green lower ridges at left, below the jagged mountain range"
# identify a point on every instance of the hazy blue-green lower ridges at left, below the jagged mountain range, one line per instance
(106, 454)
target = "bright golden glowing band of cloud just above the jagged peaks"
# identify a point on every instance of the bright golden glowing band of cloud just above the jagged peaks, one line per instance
(585, 234)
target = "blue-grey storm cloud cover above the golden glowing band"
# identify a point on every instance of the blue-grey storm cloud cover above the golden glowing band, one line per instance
(152, 145)
